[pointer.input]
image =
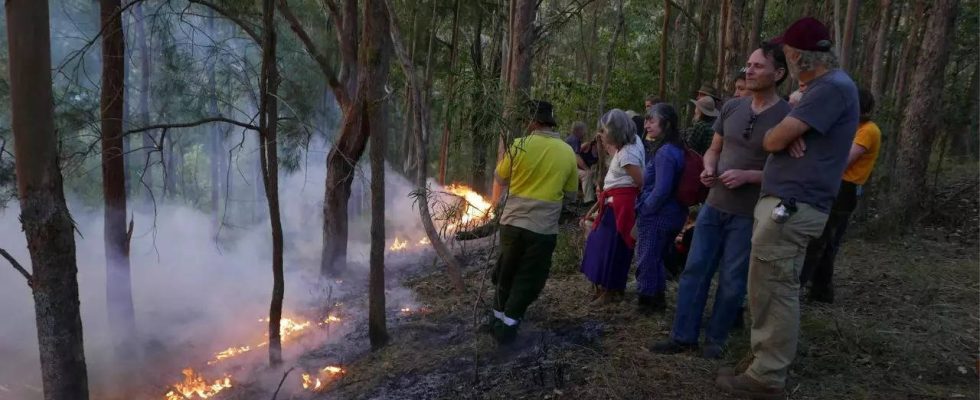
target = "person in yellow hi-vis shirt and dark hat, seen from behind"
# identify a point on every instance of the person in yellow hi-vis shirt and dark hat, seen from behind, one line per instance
(540, 171)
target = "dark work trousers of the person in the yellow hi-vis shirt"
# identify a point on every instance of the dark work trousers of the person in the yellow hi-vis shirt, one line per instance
(522, 269)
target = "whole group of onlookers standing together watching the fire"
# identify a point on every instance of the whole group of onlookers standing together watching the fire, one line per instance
(780, 177)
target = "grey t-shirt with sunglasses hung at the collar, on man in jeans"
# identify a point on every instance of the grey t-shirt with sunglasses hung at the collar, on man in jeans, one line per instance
(740, 152)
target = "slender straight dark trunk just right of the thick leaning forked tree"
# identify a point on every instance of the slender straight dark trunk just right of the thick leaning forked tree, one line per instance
(374, 63)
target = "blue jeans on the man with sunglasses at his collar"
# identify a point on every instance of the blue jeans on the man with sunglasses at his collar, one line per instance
(720, 240)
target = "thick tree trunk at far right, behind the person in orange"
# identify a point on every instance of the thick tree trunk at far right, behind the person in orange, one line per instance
(921, 122)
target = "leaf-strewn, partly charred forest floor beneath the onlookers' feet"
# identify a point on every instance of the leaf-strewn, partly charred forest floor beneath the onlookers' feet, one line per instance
(904, 326)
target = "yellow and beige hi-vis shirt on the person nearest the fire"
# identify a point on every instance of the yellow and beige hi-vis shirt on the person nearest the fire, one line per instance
(541, 168)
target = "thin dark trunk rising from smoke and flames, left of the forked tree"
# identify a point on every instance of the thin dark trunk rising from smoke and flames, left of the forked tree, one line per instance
(269, 158)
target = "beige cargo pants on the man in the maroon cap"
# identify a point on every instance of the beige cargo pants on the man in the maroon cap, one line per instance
(778, 251)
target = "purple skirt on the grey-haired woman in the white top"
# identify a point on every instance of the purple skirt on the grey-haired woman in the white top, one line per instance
(607, 259)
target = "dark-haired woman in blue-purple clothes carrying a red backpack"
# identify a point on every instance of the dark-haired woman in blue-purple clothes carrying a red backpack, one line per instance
(659, 215)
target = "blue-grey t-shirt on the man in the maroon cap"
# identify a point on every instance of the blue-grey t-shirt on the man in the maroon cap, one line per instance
(830, 107)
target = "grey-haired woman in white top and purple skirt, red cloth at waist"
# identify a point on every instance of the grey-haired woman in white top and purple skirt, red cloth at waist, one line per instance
(609, 247)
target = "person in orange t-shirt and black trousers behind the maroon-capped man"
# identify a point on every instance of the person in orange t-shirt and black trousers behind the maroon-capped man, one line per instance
(819, 264)
